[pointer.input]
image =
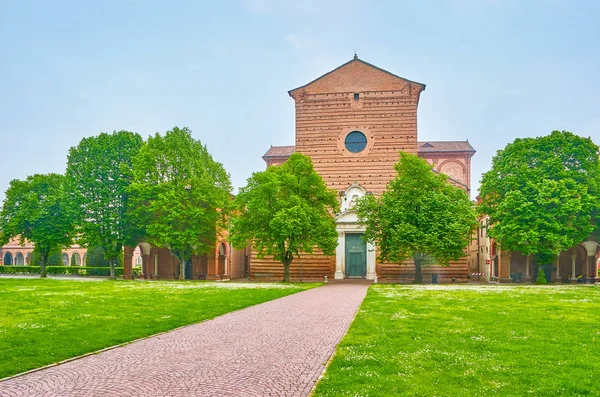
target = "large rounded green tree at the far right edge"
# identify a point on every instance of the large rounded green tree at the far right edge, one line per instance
(542, 194)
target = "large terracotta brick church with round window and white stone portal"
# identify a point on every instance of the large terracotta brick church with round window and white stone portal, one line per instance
(352, 122)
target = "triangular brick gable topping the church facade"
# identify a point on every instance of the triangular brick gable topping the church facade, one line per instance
(356, 75)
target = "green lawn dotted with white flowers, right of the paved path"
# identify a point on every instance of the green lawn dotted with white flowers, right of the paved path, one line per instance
(470, 341)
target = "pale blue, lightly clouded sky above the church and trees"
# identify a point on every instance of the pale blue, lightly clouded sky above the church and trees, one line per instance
(495, 70)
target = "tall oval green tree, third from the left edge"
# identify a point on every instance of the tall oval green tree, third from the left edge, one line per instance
(182, 196)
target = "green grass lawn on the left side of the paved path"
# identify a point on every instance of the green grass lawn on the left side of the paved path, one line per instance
(45, 321)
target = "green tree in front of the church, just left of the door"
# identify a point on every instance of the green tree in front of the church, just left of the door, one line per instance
(286, 210)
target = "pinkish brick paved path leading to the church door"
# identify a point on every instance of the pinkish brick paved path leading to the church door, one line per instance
(277, 348)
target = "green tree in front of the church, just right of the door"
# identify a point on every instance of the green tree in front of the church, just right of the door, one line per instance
(419, 216)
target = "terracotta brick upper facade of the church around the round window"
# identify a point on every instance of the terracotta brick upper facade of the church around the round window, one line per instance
(357, 96)
